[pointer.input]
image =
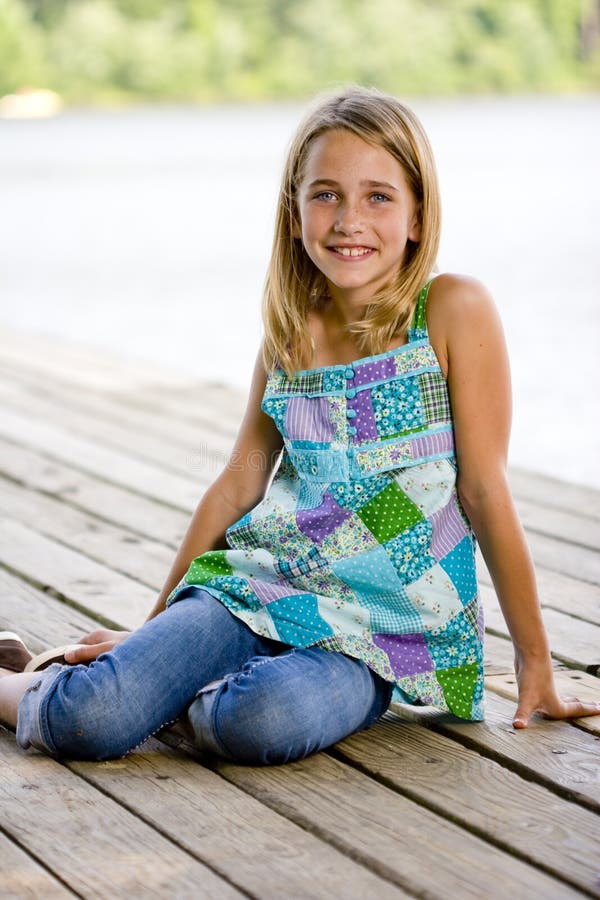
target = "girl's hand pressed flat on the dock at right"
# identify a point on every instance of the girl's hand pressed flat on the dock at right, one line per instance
(537, 693)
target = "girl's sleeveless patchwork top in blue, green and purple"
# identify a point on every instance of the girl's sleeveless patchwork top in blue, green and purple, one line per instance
(360, 544)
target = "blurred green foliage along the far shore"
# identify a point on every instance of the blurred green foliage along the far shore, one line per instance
(112, 50)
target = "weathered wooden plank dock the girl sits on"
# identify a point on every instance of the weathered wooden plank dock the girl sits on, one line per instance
(102, 462)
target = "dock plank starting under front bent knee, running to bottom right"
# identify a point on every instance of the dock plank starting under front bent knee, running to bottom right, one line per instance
(335, 802)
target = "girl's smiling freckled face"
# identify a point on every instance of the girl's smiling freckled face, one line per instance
(356, 215)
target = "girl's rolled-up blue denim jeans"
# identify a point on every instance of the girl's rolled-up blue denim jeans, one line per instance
(247, 698)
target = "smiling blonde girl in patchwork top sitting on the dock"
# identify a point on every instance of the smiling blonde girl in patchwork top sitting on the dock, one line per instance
(331, 565)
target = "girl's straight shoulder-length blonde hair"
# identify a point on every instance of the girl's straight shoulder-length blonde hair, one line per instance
(294, 283)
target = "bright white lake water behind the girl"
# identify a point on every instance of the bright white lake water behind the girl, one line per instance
(147, 231)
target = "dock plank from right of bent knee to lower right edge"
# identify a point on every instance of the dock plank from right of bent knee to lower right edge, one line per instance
(482, 796)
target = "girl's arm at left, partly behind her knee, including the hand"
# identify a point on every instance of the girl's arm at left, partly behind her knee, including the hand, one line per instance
(238, 488)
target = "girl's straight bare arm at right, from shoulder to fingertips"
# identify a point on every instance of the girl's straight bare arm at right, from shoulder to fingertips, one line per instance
(467, 334)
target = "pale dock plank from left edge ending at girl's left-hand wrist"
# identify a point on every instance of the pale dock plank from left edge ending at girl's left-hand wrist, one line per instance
(115, 599)
